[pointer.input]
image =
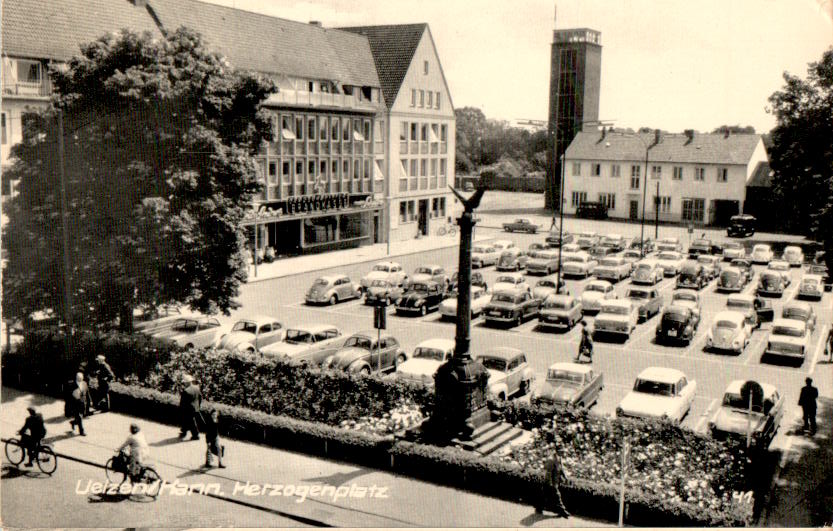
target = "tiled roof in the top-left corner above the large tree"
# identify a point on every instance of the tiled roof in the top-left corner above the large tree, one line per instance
(55, 29)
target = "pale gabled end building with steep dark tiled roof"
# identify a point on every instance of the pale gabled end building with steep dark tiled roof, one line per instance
(419, 142)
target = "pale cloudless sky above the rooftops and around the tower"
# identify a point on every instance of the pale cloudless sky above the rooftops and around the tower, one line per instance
(668, 64)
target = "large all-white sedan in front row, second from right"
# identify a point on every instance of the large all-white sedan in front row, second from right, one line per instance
(659, 392)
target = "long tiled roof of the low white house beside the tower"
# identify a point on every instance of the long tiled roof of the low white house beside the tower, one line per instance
(702, 148)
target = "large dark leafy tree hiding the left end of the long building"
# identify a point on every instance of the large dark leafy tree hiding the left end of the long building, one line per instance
(159, 137)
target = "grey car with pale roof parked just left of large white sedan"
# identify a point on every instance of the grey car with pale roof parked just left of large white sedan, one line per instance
(572, 384)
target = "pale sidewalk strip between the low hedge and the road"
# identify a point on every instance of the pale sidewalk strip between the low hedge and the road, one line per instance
(398, 502)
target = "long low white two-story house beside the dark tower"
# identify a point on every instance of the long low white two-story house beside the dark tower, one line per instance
(691, 177)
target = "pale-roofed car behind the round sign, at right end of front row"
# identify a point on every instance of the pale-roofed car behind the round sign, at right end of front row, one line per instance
(732, 420)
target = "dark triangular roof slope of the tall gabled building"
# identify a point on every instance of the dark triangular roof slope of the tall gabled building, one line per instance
(393, 48)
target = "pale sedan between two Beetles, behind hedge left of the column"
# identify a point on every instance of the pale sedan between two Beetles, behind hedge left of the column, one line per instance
(306, 345)
